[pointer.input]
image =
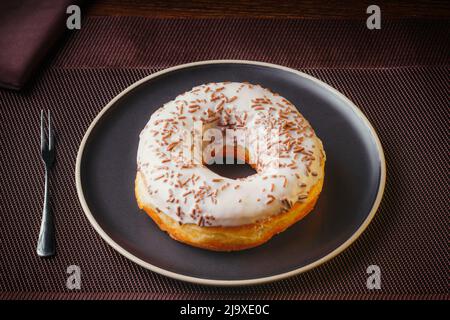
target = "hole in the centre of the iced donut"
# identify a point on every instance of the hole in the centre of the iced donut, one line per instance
(231, 163)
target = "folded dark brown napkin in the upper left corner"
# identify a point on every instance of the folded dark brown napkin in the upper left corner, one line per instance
(28, 30)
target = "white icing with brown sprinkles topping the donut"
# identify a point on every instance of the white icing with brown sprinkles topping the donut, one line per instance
(167, 186)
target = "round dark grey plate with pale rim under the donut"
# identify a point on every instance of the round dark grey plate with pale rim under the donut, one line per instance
(354, 179)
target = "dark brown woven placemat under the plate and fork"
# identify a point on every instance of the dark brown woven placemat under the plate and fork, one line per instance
(398, 77)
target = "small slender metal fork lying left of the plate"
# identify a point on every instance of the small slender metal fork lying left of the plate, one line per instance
(46, 243)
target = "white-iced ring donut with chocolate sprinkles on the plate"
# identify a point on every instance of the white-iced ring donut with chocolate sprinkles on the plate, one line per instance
(244, 122)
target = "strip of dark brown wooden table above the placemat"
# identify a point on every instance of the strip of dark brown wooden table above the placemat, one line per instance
(310, 9)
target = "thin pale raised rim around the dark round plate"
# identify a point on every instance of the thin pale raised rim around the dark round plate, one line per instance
(218, 282)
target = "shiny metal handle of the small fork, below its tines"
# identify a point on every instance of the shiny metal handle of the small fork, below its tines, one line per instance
(46, 243)
